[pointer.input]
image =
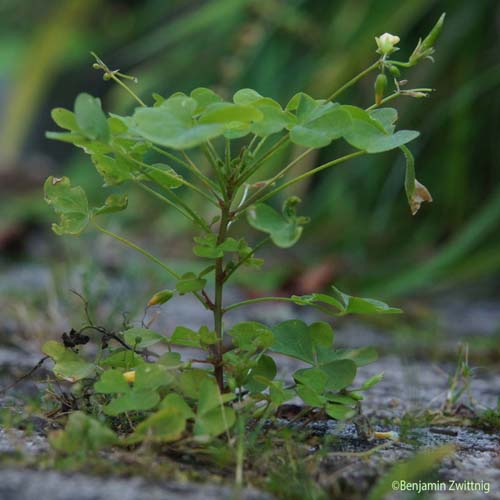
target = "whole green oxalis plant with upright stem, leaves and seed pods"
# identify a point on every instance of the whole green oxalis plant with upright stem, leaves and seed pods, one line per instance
(129, 392)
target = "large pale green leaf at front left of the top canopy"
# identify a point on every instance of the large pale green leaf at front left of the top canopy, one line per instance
(172, 124)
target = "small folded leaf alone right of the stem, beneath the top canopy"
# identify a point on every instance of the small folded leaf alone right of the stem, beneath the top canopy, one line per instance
(284, 232)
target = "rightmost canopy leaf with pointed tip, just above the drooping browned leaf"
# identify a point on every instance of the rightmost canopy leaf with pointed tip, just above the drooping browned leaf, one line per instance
(368, 134)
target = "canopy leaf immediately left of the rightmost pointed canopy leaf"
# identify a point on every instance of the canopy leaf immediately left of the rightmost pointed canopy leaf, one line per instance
(318, 122)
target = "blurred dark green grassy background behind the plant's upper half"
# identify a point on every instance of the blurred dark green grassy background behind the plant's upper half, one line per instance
(362, 234)
